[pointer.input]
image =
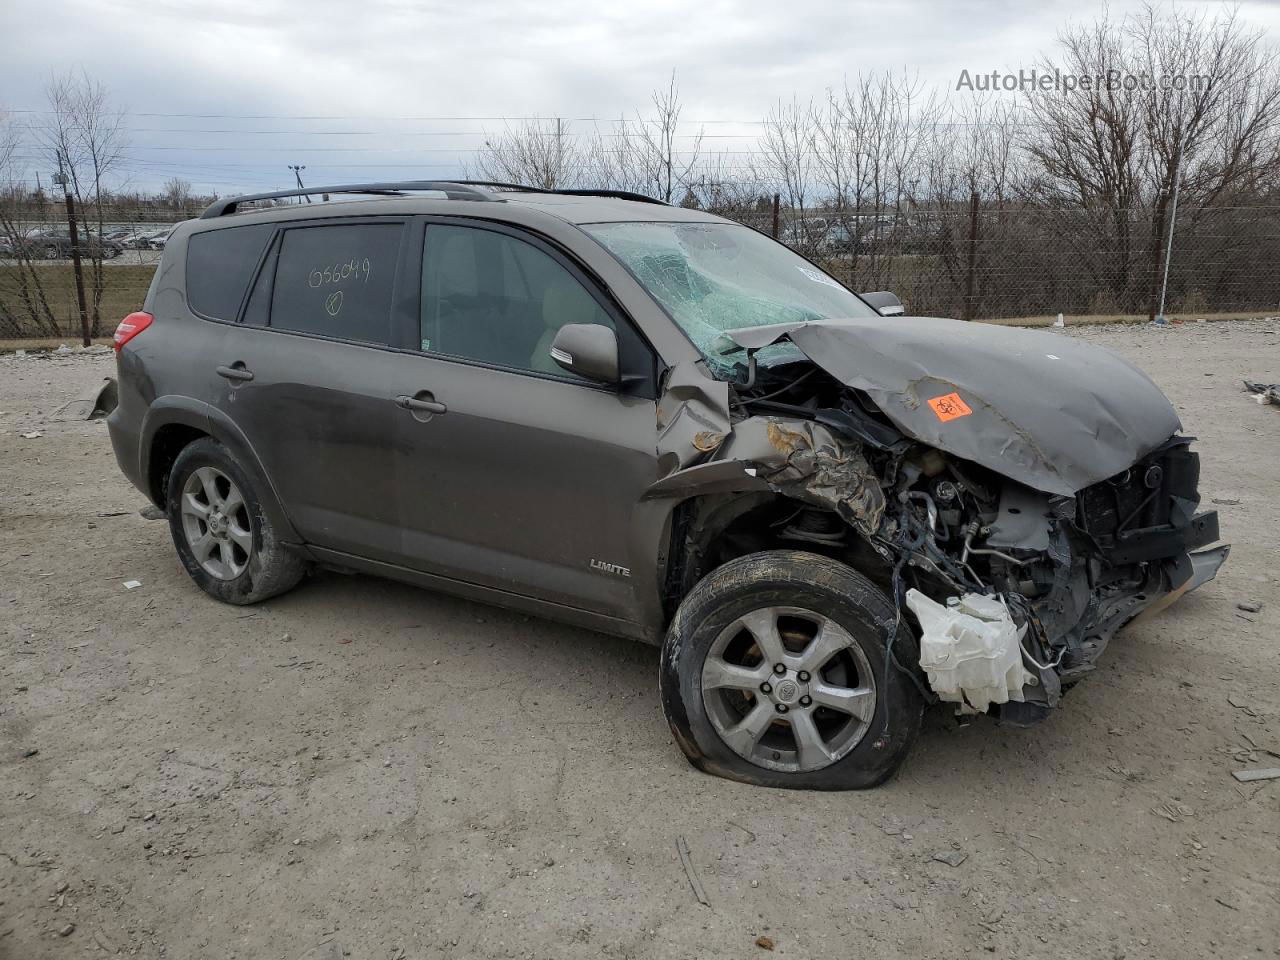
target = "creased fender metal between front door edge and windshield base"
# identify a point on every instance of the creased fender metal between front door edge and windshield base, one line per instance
(693, 417)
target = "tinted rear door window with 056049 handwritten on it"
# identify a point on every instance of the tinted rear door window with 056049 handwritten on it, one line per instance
(337, 281)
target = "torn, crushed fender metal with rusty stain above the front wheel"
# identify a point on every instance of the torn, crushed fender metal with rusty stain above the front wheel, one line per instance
(806, 460)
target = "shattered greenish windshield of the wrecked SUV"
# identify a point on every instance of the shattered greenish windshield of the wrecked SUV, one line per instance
(716, 277)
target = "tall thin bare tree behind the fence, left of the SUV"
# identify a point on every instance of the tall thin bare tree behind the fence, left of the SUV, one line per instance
(85, 140)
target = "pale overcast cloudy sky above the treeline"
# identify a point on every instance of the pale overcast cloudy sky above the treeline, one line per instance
(227, 93)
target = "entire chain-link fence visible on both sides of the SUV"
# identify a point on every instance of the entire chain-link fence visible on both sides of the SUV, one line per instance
(968, 260)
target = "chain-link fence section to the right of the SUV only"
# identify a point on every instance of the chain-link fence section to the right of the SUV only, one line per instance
(985, 262)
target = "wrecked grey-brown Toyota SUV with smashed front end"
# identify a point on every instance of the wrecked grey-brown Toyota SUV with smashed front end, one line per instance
(657, 423)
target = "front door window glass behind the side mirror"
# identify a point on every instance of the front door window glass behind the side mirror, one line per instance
(497, 300)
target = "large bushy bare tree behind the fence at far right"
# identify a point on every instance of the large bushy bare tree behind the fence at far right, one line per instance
(1176, 100)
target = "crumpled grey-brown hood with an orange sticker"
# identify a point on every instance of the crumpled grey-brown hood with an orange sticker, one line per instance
(1049, 412)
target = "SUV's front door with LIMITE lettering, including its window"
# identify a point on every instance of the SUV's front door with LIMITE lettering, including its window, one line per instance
(524, 478)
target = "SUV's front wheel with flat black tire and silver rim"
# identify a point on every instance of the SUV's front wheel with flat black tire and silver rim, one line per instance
(714, 666)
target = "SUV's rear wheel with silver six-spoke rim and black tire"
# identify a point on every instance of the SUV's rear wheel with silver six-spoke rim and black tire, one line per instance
(241, 561)
